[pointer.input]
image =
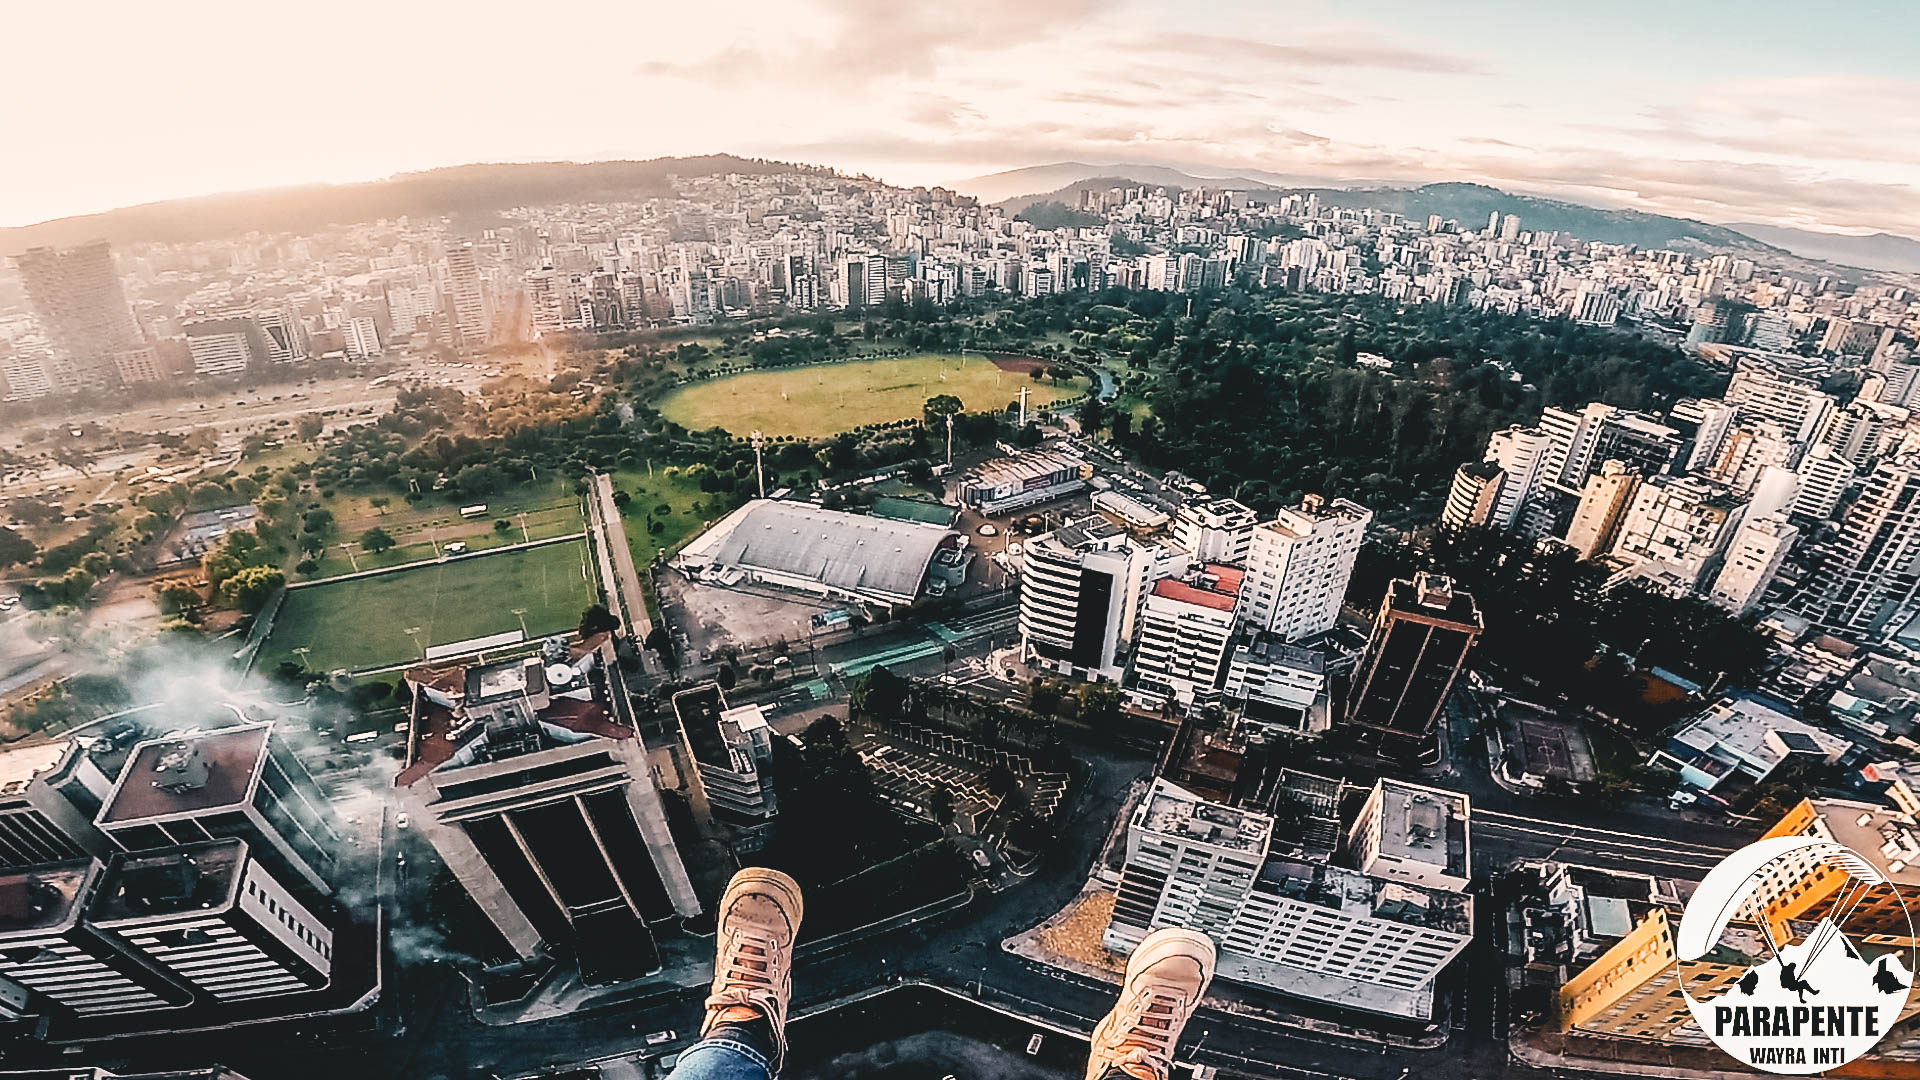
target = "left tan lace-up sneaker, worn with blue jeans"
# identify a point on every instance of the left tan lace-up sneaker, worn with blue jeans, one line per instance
(754, 954)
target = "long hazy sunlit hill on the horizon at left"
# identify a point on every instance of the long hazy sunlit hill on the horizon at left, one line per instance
(458, 191)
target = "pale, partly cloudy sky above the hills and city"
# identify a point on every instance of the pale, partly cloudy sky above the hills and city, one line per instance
(1787, 114)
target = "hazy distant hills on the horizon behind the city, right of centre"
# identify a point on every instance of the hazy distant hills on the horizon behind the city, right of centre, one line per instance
(1470, 205)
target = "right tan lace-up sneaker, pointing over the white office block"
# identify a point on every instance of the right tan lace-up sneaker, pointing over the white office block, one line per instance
(1166, 977)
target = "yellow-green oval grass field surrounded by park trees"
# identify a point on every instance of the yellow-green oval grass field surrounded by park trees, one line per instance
(830, 399)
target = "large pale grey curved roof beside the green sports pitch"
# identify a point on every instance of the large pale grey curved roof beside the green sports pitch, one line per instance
(846, 552)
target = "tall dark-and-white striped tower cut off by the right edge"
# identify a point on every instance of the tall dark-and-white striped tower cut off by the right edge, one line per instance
(1869, 572)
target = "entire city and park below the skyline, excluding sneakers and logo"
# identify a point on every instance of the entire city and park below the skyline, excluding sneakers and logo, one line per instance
(416, 614)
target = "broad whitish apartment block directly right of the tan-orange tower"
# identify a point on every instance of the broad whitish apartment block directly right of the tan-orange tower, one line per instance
(1677, 528)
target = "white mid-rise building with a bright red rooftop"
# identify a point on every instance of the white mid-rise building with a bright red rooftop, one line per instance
(1186, 629)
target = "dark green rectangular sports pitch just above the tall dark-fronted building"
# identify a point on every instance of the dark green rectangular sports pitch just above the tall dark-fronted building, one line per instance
(364, 624)
